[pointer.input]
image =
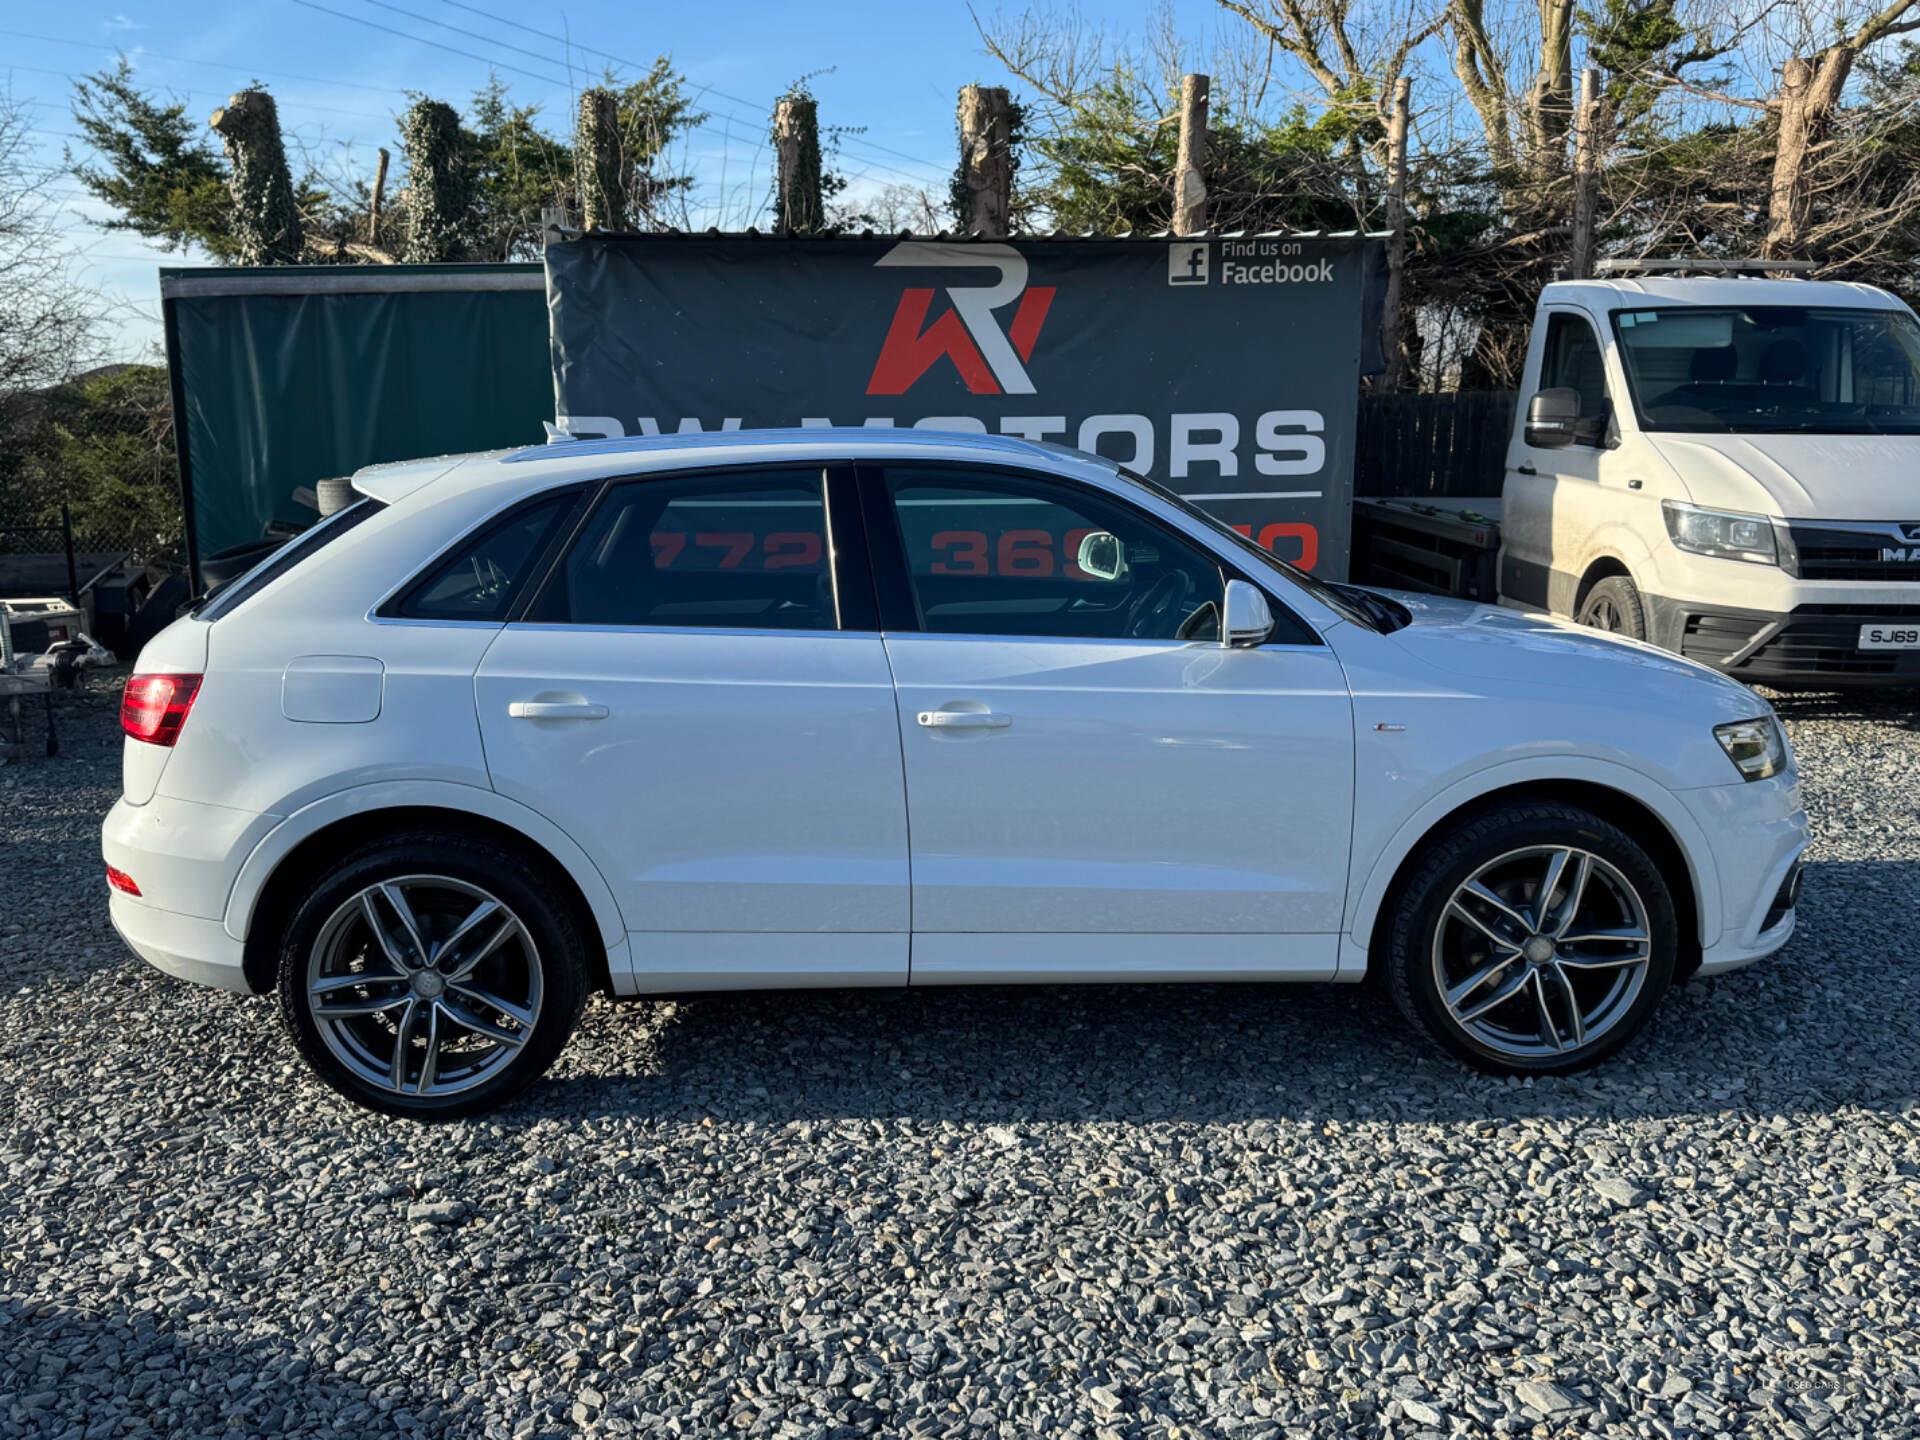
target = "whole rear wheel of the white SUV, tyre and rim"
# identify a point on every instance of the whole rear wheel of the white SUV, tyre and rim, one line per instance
(431, 976)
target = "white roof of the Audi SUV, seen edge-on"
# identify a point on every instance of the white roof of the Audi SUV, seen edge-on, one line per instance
(583, 460)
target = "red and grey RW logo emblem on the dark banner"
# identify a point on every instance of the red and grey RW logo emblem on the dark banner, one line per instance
(992, 362)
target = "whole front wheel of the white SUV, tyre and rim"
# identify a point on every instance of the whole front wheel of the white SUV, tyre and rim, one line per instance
(1533, 940)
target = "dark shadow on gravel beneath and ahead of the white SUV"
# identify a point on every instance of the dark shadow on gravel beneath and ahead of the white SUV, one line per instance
(1787, 1036)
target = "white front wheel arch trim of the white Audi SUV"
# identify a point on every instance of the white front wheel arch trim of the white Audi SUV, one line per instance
(1370, 890)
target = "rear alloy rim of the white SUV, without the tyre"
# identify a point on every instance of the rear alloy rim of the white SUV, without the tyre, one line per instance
(425, 986)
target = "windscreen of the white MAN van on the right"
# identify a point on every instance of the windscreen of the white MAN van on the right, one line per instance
(1767, 370)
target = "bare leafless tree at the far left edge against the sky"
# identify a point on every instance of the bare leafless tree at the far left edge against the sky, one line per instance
(47, 322)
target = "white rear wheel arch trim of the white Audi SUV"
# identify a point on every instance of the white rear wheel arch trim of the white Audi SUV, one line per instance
(433, 794)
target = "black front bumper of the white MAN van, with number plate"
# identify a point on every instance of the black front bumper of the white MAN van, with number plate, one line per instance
(1810, 644)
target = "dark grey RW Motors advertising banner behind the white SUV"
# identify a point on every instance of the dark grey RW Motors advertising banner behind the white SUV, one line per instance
(1224, 368)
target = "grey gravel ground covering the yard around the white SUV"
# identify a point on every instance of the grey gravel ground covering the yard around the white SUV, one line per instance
(1097, 1212)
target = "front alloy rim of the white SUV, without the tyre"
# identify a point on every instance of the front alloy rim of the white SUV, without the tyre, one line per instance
(1543, 951)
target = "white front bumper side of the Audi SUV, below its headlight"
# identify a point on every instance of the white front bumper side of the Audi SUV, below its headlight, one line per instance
(1760, 838)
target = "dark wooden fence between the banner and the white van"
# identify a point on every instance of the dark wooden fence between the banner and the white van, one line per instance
(1449, 444)
